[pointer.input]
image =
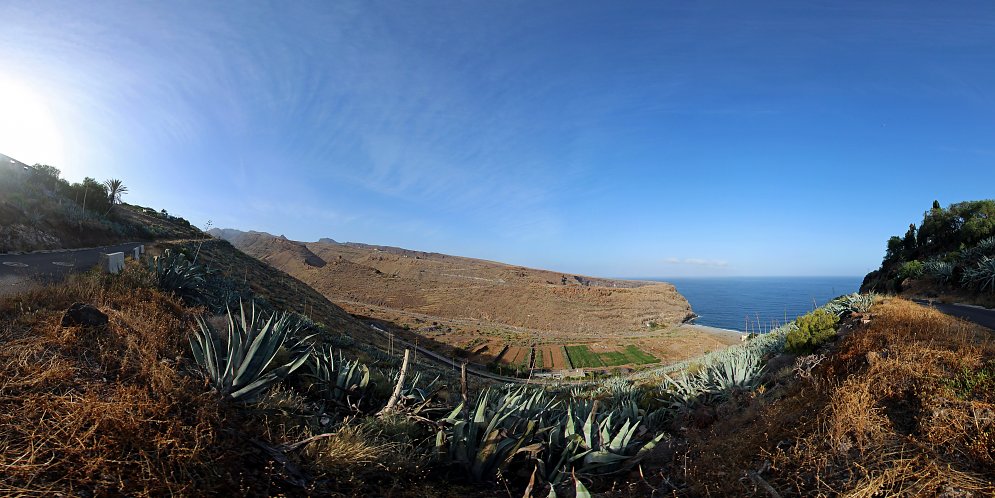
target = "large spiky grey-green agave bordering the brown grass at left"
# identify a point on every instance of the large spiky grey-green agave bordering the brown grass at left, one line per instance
(241, 366)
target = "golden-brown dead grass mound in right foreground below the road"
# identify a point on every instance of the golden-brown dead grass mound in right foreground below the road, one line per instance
(880, 419)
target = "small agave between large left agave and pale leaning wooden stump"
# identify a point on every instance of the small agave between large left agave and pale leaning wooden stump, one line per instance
(337, 380)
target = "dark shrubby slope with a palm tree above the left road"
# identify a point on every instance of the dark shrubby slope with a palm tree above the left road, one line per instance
(40, 210)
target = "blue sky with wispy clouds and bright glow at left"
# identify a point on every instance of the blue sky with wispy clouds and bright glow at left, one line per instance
(654, 139)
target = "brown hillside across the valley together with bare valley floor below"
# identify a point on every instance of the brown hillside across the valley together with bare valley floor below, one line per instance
(492, 311)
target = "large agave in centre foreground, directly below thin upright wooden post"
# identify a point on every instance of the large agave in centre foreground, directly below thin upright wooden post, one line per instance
(484, 441)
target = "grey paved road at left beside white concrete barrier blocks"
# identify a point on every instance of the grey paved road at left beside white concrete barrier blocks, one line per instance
(52, 266)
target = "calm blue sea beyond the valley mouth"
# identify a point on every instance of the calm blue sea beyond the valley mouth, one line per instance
(727, 302)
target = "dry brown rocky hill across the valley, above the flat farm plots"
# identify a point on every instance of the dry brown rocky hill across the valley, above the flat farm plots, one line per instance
(481, 292)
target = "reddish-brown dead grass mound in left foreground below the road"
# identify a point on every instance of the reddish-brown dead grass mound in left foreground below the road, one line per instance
(109, 410)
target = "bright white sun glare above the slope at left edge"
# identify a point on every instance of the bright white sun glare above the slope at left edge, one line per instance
(28, 132)
